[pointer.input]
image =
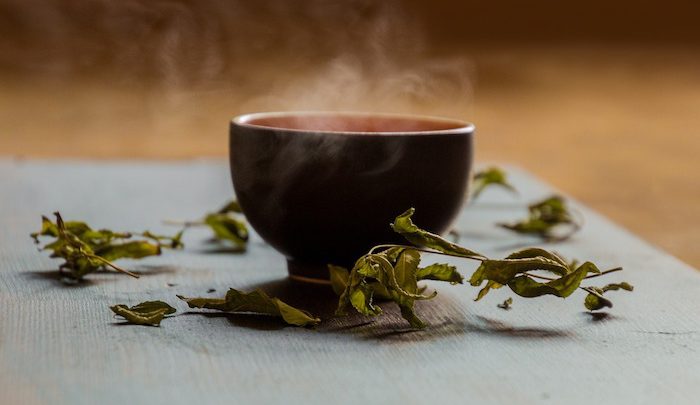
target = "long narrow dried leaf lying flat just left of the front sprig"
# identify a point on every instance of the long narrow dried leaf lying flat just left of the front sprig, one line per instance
(256, 302)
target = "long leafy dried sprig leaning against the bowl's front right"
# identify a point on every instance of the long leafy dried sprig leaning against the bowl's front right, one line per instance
(392, 272)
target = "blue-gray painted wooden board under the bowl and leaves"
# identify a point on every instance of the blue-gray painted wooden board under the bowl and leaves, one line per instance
(61, 345)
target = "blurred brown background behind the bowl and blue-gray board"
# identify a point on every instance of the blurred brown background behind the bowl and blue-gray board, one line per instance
(600, 98)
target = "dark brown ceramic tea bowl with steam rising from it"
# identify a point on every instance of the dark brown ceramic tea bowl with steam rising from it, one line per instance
(323, 187)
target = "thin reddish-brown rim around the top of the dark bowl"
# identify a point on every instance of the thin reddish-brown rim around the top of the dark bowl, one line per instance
(461, 127)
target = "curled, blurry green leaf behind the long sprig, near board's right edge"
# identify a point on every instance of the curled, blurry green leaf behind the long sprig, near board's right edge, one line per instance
(545, 218)
